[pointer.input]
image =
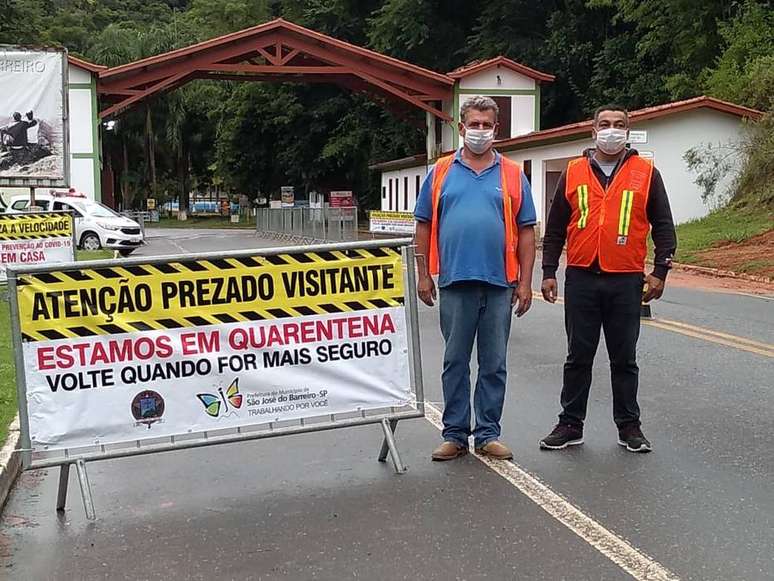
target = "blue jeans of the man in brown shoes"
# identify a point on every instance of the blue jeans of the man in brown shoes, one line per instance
(471, 309)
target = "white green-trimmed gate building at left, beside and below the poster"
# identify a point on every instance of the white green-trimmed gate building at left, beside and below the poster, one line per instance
(85, 166)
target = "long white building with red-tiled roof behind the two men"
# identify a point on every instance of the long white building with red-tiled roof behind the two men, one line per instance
(664, 133)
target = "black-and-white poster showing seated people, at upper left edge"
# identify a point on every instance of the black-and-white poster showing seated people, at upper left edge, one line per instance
(33, 136)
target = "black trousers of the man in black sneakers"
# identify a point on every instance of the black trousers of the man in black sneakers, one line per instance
(594, 300)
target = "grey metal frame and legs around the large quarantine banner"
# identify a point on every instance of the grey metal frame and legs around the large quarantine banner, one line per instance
(387, 418)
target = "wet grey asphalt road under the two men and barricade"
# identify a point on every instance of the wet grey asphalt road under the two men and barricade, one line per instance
(319, 507)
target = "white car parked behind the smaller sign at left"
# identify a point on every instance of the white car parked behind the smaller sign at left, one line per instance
(96, 225)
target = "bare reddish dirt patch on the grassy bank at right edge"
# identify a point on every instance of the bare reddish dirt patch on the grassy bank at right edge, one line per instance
(753, 256)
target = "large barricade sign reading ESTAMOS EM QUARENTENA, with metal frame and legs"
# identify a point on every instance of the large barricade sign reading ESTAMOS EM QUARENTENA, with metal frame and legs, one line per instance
(148, 355)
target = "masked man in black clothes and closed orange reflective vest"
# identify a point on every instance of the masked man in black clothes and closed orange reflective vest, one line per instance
(604, 206)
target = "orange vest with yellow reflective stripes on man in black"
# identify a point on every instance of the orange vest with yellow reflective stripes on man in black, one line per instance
(611, 224)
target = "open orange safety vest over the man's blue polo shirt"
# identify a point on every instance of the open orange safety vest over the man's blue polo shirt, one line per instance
(510, 180)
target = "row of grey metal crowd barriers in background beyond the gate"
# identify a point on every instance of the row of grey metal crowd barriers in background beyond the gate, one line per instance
(307, 225)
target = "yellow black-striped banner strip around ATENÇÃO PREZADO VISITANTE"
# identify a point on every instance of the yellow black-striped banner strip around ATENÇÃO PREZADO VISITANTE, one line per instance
(52, 286)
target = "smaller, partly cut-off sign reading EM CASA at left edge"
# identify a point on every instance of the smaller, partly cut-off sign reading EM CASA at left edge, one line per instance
(35, 238)
